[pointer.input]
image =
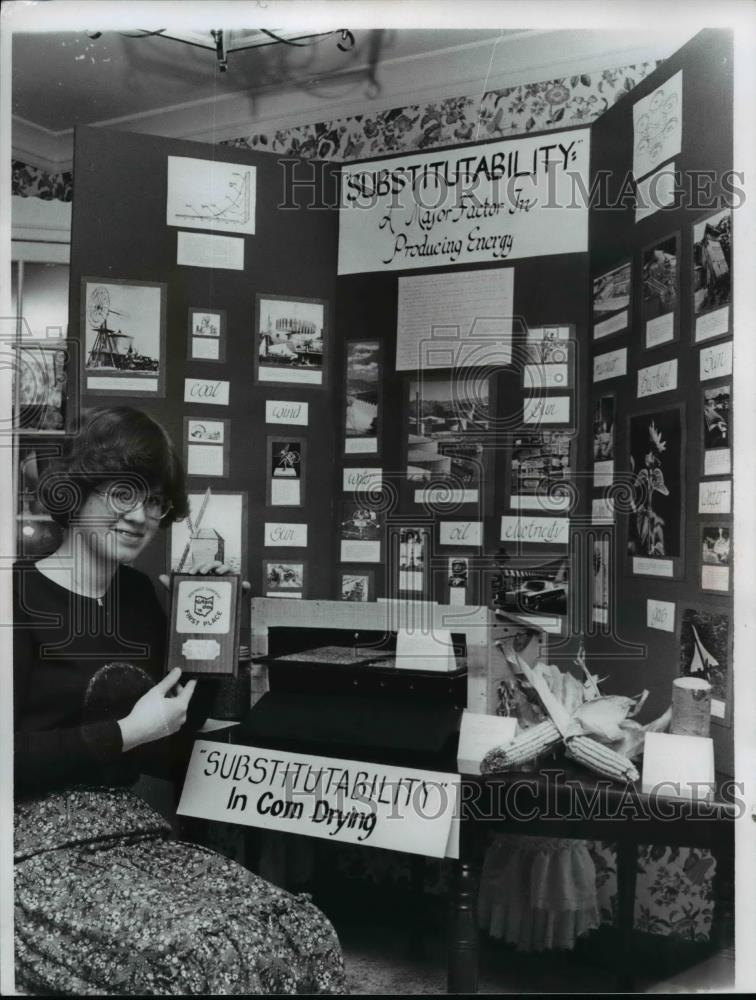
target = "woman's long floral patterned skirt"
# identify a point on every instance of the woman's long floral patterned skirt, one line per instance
(107, 903)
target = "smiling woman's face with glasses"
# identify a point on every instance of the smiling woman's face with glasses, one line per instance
(111, 533)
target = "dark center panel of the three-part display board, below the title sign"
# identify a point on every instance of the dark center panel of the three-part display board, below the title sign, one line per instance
(477, 368)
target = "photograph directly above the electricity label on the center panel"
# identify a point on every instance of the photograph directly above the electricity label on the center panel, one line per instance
(539, 464)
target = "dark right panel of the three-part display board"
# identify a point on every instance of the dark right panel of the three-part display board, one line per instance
(660, 404)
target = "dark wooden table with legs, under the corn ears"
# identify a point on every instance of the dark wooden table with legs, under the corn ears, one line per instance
(564, 801)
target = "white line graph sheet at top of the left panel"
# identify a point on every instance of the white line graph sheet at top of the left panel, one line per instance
(208, 194)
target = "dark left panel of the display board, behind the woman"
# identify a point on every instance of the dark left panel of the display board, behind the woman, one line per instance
(198, 298)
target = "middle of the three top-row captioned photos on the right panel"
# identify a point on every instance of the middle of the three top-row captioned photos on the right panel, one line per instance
(661, 283)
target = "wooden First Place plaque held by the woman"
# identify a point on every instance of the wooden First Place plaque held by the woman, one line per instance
(203, 633)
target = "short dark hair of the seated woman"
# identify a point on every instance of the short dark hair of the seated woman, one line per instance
(115, 442)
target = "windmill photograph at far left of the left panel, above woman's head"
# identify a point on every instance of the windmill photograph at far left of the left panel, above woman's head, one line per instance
(124, 336)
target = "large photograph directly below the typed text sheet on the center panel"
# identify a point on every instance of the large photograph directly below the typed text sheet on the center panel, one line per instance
(448, 423)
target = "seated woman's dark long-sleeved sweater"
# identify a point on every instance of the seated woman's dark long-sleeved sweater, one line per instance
(67, 693)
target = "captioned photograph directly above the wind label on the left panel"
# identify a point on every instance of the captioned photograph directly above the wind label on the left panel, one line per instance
(291, 340)
